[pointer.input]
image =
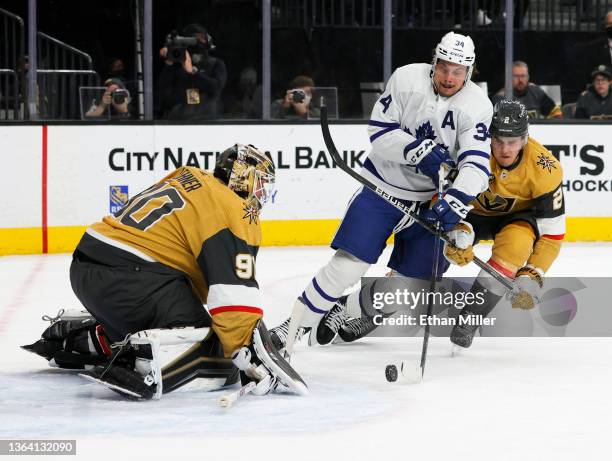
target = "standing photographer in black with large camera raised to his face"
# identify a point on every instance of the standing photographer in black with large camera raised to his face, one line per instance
(191, 80)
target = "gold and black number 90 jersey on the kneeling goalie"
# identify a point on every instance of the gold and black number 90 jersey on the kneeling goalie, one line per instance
(192, 222)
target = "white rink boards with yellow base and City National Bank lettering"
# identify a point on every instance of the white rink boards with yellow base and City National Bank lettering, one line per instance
(60, 178)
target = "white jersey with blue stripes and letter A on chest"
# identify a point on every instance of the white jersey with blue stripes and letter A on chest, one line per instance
(410, 109)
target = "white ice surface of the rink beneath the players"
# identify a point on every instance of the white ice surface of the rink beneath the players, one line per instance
(504, 399)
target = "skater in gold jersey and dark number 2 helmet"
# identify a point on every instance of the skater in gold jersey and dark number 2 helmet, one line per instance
(522, 211)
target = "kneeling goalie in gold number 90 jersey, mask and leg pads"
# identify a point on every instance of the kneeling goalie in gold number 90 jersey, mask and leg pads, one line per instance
(146, 271)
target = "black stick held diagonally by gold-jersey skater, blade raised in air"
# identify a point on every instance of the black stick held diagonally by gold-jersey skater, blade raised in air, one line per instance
(329, 143)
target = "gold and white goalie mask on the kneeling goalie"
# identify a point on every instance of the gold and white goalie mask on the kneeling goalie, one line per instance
(247, 171)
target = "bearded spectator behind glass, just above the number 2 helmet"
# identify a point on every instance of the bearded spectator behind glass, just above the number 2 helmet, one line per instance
(538, 103)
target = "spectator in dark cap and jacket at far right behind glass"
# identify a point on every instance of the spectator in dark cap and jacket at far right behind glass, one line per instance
(596, 102)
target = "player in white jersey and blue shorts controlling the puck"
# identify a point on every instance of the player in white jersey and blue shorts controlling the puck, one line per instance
(429, 114)
